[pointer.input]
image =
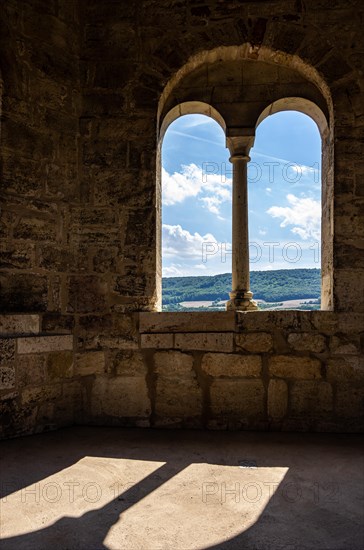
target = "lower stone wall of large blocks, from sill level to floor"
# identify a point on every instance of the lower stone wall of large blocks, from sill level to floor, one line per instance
(281, 371)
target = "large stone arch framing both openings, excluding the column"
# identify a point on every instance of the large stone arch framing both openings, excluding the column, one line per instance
(212, 79)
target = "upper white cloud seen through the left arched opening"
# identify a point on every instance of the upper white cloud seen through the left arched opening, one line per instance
(212, 189)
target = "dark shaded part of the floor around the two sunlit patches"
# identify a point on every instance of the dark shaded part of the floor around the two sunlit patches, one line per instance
(317, 507)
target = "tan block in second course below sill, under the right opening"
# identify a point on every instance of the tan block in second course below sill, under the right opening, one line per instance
(290, 366)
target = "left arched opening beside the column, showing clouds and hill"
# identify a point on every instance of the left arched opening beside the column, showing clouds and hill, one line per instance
(196, 210)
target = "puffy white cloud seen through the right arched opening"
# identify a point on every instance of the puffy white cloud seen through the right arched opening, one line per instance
(304, 214)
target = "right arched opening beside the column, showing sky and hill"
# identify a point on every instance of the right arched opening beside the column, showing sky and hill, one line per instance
(284, 182)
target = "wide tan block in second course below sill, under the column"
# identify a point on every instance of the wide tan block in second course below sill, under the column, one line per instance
(225, 364)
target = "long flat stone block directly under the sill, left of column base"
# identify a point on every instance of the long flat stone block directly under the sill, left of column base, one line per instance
(206, 341)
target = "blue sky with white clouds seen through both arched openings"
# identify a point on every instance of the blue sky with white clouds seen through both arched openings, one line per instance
(284, 196)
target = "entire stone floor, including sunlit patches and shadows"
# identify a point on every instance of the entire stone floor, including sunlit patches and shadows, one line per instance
(92, 488)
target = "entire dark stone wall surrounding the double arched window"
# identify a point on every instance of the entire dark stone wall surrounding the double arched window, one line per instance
(81, 93)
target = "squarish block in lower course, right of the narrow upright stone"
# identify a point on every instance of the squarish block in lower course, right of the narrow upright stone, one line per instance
(311, 398)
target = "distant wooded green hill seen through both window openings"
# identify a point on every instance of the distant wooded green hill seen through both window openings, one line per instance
(270, 286)
